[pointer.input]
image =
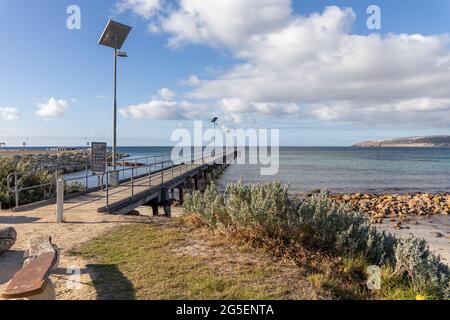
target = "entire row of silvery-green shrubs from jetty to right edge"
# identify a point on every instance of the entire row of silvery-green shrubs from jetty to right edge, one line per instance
(267, 212)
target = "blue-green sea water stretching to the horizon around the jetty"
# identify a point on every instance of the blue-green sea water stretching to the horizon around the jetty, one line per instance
(376, 170)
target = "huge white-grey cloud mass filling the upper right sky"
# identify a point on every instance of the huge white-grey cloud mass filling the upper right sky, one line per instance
(290, 59)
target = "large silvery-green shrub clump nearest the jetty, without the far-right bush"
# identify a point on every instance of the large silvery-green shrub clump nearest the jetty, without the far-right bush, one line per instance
(267, 211)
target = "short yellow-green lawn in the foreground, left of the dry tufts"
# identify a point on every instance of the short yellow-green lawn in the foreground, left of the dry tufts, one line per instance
(171, 259)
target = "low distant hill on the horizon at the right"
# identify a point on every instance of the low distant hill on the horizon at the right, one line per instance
(431, 141)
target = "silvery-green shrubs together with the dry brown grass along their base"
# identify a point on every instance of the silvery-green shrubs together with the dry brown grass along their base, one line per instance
(343, 241)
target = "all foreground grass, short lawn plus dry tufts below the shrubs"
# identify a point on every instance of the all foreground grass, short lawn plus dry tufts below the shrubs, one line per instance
(182, 259)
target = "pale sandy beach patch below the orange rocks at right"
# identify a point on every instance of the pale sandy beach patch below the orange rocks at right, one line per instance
(435, 229)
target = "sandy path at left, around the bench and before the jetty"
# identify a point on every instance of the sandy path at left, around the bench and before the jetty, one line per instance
(78, 229)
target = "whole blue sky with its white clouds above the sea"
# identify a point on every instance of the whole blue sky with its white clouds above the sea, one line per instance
(233, 73)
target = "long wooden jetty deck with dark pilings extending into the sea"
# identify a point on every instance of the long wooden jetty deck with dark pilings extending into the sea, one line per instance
(156, 189)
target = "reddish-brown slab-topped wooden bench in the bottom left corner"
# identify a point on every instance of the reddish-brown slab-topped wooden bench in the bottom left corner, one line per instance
(33, 279)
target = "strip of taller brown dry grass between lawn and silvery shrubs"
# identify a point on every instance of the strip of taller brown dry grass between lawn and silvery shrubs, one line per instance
(331, 276)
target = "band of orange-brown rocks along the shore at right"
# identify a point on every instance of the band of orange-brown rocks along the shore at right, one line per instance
(401, 207)
